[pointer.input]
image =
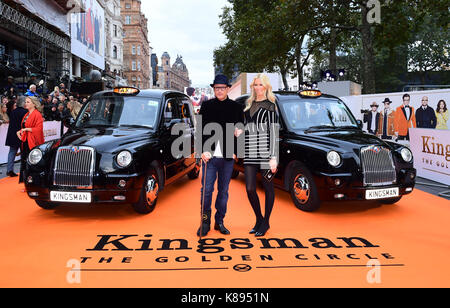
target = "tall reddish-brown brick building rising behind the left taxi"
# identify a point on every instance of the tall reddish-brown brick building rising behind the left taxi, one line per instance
(136, 46)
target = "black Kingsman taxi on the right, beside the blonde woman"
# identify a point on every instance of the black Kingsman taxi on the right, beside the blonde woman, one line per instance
(324, 155)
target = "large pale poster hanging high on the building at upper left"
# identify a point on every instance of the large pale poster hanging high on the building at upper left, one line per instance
(88, 34)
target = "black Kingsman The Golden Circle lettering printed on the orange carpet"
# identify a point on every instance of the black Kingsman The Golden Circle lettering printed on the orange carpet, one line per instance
(109, 250)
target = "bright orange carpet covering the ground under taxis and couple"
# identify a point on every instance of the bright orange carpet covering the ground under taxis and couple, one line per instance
(342, 245)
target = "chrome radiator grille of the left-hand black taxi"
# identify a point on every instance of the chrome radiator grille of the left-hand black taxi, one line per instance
(74, 167)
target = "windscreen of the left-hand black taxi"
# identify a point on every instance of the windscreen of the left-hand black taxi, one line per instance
(119, 111)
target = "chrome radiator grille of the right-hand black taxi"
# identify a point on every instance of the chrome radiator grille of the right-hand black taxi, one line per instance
(377, 166)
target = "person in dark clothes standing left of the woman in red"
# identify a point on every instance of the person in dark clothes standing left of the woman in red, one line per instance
(15, 119)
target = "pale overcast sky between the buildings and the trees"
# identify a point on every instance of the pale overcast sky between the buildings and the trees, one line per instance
(187, 28)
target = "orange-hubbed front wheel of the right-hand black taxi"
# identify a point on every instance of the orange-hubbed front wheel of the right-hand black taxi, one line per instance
(303, 189)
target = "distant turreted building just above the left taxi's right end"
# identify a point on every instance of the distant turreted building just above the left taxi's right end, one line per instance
(173, 77)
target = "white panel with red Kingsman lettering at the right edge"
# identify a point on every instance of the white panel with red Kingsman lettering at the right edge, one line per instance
(431, 150)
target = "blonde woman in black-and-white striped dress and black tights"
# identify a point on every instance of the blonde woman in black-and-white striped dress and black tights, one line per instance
(261, 148)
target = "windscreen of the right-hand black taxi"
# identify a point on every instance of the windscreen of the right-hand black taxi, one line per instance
(306, 114)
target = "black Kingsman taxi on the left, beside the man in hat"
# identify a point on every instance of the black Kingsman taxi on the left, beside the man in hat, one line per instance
(118, 150)
